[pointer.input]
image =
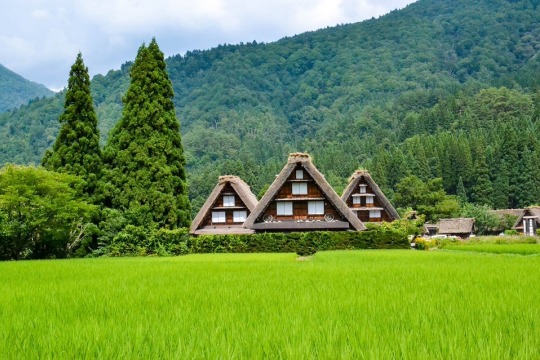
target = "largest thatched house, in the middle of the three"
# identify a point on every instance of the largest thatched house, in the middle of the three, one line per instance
(300, 199)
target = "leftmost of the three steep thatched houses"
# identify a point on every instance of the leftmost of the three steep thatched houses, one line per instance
(226, 209)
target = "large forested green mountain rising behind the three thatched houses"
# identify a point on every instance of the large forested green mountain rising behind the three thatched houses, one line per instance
(417, 91)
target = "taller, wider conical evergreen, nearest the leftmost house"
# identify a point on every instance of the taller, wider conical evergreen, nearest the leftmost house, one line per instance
(144, 158)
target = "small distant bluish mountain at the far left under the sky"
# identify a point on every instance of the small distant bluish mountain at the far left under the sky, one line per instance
(16, 90)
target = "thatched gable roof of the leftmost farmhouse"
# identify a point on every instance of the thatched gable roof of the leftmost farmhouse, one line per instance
(240, 187)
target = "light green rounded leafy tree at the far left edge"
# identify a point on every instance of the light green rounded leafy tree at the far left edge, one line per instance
(41, 213)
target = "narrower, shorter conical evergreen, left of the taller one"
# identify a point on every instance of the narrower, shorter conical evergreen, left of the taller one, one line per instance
(76, 150)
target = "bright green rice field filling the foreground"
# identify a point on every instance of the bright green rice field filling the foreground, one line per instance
(376, 304)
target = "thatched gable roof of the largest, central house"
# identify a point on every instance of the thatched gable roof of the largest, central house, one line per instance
(304, 160)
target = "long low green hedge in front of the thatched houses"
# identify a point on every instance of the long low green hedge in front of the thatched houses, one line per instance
(137, 241)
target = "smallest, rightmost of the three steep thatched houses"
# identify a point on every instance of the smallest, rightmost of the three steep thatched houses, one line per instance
(364, 197)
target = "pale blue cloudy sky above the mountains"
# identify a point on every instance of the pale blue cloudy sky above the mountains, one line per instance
(40, 39)
